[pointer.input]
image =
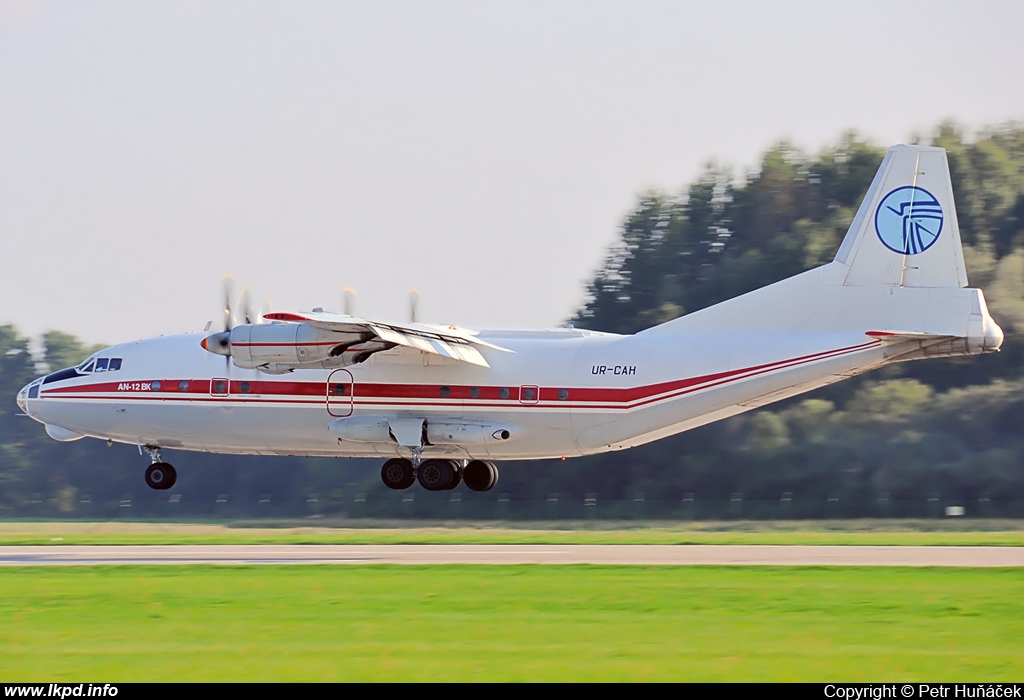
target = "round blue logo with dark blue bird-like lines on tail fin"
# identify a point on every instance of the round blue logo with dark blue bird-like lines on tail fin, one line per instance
(909, 221)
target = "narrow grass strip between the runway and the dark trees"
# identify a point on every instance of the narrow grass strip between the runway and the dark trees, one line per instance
(929, 533)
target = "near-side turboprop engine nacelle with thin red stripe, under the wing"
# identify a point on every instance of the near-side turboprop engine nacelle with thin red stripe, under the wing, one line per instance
(281, 347)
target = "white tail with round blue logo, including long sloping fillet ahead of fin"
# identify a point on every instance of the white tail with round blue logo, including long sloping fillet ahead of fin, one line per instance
(900, 271)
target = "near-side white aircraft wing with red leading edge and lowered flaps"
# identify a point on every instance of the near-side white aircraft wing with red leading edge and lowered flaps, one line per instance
(452, 342)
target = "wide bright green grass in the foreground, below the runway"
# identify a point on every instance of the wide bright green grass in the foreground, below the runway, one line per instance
(510, 624)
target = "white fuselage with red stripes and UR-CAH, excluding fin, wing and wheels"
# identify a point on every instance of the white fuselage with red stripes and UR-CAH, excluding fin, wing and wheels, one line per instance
(565, 392)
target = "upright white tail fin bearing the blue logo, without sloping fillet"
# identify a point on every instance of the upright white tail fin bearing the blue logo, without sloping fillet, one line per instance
(906, 233)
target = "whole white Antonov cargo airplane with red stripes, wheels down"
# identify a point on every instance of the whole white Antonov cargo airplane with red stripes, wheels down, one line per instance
(442, 405)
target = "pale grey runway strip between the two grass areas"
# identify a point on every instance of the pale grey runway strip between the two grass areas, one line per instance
(636, 555)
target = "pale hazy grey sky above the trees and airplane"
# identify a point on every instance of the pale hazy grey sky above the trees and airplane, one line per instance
(483, 152)
